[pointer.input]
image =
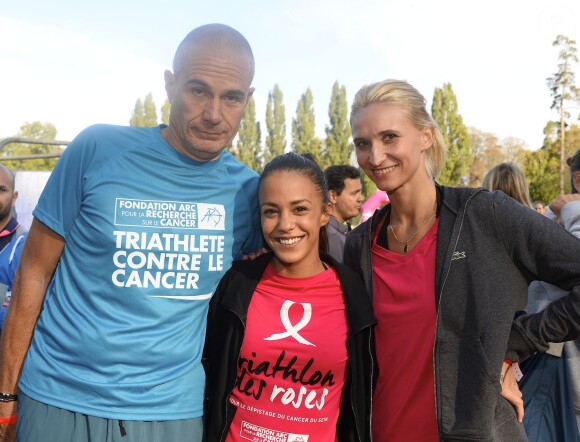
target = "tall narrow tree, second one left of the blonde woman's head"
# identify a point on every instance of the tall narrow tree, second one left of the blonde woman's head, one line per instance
(304, 139)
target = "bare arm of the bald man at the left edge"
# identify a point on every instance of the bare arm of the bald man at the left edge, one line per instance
(39, 258)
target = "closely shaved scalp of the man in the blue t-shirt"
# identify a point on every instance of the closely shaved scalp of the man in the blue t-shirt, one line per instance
(221, 38)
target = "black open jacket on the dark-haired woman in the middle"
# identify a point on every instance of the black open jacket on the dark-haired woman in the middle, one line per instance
(225, 334)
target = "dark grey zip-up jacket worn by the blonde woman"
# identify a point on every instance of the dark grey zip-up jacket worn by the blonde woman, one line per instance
(489, 248)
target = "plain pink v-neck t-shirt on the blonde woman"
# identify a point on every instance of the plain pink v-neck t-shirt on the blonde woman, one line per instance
(404, 305)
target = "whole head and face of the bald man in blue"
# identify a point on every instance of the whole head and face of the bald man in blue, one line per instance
(209, 88)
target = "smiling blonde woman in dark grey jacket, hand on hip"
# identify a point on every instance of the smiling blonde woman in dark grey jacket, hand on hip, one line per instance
(445, 268)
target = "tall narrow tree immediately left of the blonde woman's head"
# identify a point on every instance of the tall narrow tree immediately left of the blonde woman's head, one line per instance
(338, 146)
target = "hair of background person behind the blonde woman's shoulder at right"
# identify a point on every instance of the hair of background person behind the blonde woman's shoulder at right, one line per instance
(510, 179)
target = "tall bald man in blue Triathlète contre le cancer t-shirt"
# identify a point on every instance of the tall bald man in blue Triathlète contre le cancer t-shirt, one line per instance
(131, 235)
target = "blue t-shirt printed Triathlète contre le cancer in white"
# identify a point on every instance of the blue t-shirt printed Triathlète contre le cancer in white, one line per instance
(148, 234)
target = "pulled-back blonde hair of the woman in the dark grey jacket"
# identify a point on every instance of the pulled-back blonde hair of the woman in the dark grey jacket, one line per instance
(406, 97)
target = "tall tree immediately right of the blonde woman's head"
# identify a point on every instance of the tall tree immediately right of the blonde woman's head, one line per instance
(459, 156)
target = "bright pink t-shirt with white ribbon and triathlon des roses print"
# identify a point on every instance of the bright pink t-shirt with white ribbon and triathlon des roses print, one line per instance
(293, 361)
